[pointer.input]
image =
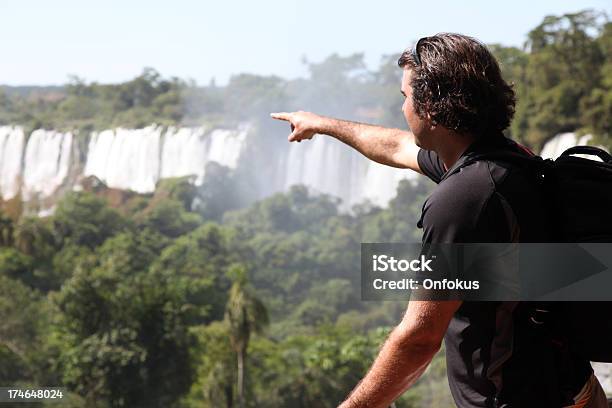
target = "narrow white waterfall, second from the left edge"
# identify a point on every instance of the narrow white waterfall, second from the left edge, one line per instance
(46, 162)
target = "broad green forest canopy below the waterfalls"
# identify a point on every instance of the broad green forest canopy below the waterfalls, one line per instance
(127, 298)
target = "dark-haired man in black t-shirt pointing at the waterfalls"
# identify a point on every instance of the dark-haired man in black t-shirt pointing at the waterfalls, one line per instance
(456, 102)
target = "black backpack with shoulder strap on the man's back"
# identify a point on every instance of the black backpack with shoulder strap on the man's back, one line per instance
(580, 192)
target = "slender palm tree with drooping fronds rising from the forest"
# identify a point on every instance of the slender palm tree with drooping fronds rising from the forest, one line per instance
(245, 315)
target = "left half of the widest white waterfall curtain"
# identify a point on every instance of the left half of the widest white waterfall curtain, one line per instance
(125, 158)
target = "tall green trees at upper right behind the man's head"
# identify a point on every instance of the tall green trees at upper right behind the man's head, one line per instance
(565, 80)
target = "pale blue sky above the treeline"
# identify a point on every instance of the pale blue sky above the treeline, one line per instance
(111, 41)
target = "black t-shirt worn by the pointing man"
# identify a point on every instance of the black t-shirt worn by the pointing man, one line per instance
(494, 357)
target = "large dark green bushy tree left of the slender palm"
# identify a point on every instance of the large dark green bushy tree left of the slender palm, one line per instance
(122, 328)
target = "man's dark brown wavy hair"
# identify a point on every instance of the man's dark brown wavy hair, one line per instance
(459, 83)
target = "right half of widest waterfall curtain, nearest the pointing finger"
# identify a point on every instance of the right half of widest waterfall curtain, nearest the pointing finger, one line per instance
(186, 151)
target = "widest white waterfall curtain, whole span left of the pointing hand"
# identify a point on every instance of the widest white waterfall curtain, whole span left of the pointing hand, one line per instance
(136, 159)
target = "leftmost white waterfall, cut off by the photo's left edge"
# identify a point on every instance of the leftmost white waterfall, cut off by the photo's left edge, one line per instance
(12, 139)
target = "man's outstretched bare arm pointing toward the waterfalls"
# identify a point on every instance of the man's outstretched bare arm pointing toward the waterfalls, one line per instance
(392, 147)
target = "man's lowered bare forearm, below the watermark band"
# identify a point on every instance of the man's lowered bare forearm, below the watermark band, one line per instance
(405, 355)
